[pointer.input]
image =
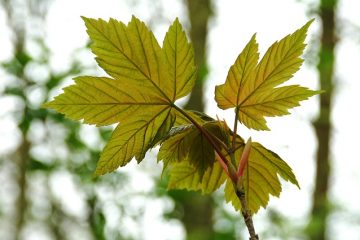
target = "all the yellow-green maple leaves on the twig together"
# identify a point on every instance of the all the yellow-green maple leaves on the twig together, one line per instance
(199, 153)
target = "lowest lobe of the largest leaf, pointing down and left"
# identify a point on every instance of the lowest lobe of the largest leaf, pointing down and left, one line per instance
(133, 137)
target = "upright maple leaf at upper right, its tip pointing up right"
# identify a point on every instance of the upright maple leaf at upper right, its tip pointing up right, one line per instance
(252, 88)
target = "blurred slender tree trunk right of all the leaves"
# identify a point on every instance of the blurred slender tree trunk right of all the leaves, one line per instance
(320, 208)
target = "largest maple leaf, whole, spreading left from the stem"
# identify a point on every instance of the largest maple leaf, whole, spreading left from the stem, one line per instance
(145, 82)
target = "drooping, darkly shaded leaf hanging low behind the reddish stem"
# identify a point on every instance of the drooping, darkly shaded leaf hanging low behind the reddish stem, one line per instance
(189, 160)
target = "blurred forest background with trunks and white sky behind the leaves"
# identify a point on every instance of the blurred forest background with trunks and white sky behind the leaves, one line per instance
(46, 161)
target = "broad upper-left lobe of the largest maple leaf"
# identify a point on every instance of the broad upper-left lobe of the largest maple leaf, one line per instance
(128, 52)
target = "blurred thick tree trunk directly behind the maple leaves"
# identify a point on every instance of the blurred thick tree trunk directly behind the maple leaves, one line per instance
(198, 210)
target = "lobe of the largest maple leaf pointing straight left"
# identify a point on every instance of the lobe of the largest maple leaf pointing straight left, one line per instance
(103, 101)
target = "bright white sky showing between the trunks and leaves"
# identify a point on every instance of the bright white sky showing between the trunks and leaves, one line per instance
(292, 137)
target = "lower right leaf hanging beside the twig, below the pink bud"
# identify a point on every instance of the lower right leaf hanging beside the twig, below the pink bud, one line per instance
(260, 178)
